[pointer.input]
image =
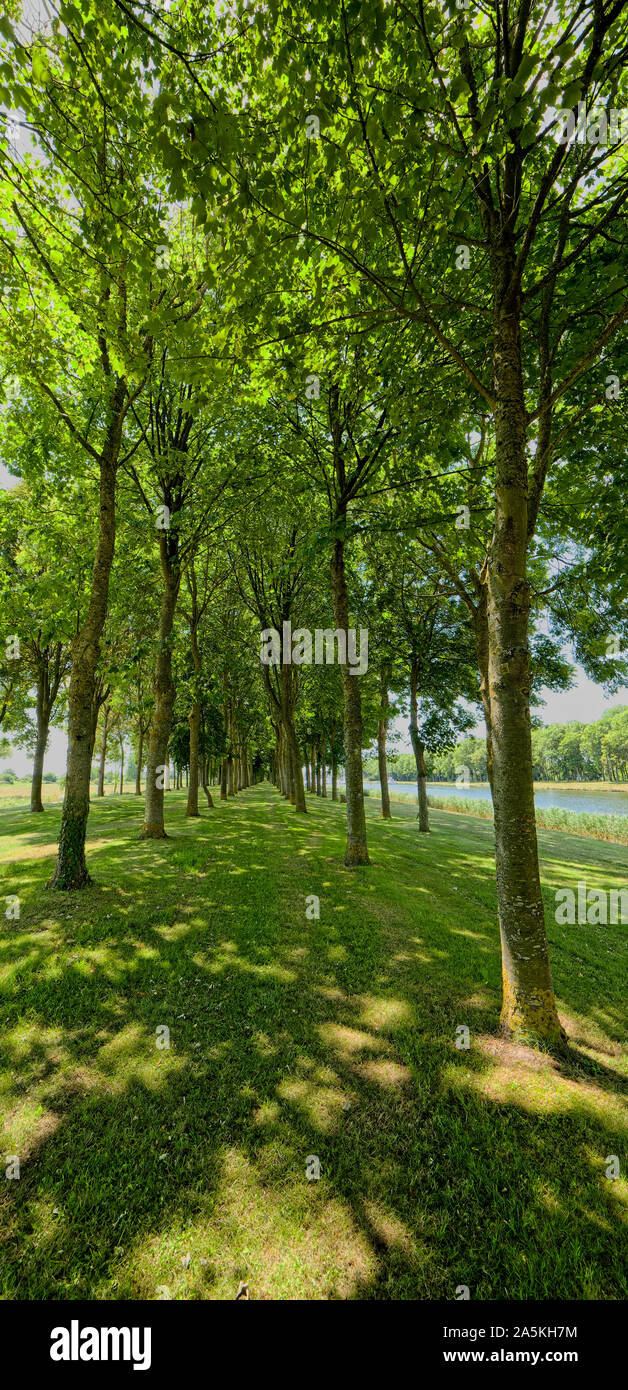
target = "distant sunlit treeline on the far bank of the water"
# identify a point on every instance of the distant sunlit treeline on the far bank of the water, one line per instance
(562, 753)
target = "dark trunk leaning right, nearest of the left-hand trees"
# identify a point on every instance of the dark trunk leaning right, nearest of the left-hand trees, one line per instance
(72, 871)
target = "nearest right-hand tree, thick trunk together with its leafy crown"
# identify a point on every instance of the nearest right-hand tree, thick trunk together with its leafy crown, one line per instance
(440, 133)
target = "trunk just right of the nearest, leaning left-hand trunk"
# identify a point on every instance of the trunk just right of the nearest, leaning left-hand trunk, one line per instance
(158, 769)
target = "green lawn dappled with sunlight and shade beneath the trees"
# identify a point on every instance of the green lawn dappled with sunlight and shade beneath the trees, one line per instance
(291, 1038)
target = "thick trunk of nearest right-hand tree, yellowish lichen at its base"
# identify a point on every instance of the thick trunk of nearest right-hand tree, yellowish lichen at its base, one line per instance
(529, 1007)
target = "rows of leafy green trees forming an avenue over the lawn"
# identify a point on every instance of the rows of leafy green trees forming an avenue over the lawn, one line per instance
(311, 318)
